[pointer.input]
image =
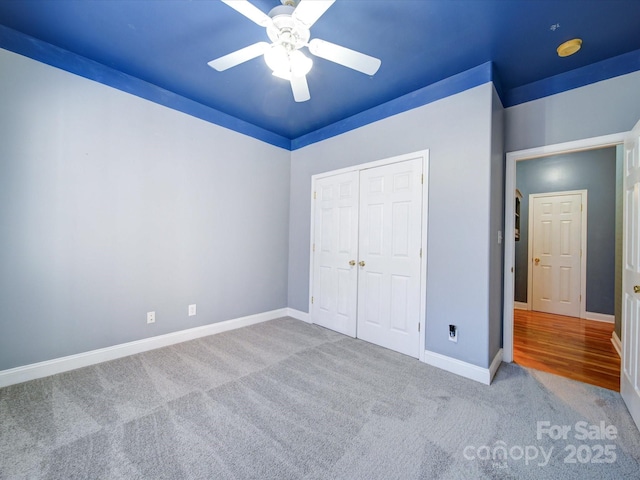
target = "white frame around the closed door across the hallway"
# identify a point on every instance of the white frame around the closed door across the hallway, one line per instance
(583, 247)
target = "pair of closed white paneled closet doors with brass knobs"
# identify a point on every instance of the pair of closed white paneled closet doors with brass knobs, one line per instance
(367, 247)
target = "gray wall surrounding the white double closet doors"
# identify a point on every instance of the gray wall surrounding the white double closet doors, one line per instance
(458, 132)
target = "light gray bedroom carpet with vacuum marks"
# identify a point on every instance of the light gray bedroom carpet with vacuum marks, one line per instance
(287, 400)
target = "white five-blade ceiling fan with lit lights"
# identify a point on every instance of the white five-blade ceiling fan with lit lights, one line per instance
(288, 29)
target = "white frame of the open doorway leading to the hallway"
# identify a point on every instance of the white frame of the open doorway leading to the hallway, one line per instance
(509, 220)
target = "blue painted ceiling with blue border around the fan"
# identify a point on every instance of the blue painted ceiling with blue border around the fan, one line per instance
(169, 42)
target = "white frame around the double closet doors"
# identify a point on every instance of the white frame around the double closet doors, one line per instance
(424, 154)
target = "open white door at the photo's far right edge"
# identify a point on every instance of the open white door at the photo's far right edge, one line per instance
(630, 368)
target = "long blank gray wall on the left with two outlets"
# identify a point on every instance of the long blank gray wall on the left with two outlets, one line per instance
(112, 206)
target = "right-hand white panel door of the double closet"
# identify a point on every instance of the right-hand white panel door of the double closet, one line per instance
(389, 256)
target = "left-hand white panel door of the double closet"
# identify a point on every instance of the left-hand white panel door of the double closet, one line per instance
(335, 244)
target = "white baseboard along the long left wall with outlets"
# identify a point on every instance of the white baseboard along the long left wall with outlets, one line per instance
(85, 359)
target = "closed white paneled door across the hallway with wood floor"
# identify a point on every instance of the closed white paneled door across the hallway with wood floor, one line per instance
(556, 243)
